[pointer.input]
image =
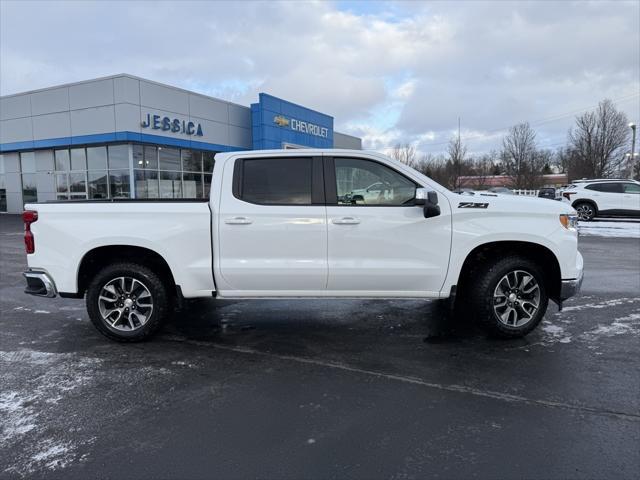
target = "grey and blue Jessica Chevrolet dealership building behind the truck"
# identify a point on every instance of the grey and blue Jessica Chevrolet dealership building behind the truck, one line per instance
(127, 137)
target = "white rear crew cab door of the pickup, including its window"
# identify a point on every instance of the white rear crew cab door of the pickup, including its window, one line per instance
(272, 228)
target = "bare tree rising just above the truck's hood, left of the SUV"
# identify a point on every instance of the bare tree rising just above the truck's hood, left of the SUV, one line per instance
(522, 160)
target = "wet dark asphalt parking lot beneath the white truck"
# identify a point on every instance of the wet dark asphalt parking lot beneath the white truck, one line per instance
(324, 389)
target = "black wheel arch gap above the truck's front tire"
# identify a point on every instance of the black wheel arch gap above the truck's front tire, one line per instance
(539, 254)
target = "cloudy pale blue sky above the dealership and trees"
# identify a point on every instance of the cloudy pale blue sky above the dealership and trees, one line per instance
(387, 71)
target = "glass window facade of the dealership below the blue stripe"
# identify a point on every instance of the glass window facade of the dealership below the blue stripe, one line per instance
(112, 171)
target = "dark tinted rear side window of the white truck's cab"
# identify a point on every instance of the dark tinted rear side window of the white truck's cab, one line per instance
(276, 181)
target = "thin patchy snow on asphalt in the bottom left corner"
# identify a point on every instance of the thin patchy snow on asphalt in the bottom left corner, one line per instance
(38, 432)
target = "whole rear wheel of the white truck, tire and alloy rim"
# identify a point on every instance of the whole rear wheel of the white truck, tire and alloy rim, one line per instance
(127, 302)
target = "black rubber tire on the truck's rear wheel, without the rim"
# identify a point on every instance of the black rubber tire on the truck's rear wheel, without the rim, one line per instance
(160, 301)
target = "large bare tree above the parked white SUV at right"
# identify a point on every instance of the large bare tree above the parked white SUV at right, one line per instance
(598, 140)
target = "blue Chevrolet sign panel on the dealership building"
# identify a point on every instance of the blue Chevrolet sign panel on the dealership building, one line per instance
(276, 123)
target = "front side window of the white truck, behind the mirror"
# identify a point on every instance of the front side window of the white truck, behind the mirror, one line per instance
(364, 182)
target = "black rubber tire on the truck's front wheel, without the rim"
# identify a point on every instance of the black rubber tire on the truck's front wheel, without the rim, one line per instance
(483, 287)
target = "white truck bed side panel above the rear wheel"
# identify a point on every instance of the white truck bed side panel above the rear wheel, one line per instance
(178, 230)
